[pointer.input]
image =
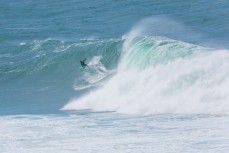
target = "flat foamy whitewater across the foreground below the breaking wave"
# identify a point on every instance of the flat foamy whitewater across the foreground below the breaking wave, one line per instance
(105, 132)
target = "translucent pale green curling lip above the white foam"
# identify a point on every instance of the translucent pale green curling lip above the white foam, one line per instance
(145, 52)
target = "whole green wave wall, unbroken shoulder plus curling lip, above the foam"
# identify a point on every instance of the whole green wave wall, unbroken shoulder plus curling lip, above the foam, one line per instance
(52, 57)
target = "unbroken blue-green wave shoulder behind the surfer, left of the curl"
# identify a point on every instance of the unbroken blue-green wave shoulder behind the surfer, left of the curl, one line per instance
(48, 58)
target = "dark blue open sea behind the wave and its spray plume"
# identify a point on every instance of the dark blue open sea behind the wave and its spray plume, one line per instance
(29, 20)
